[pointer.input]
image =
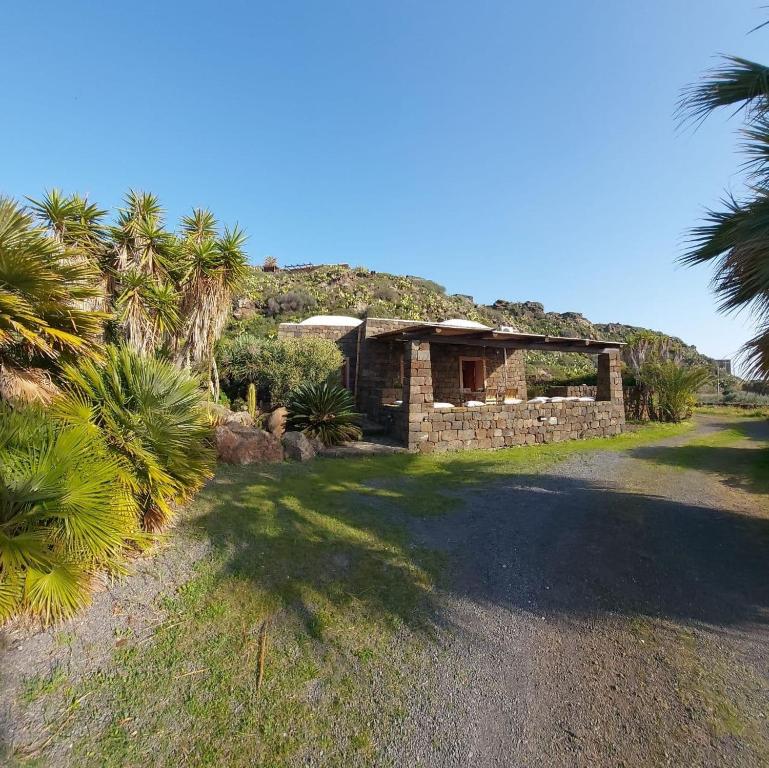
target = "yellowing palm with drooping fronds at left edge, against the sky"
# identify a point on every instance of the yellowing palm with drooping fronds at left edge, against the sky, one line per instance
(45, 290)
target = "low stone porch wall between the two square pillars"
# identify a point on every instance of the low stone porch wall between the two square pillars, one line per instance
(499, 426)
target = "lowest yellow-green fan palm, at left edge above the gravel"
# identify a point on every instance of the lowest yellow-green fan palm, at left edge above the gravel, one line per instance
(63, 513)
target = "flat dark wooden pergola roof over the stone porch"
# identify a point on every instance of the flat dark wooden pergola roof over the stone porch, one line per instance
(487, 337)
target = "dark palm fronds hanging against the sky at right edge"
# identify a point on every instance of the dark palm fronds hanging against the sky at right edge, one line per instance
(735, 240)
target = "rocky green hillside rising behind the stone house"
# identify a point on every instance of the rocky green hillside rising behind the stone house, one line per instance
(269, 298)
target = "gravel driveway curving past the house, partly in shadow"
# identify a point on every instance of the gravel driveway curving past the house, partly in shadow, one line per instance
(611, 612)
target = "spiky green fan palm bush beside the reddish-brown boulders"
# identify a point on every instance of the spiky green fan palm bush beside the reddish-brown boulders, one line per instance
(151, 414)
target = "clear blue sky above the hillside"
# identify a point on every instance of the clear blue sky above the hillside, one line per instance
(518, 150)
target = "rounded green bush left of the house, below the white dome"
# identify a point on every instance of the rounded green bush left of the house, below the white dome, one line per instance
(279, 366)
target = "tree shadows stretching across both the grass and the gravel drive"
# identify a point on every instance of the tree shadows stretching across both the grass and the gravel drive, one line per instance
(365, 533)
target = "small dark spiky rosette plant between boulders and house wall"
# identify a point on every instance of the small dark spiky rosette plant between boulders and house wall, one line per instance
(325, 411)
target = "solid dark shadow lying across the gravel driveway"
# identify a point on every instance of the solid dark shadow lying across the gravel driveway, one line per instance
(571, 548)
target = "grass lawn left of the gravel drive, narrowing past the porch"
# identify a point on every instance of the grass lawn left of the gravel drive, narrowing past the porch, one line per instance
(321, 553)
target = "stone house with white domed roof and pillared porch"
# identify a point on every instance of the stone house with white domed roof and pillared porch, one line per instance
(458, 384)
